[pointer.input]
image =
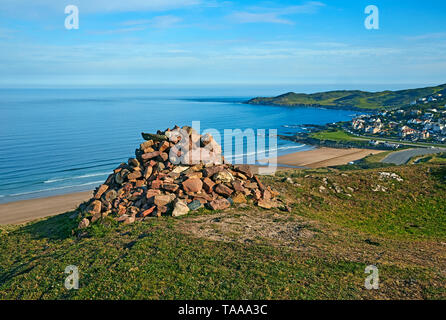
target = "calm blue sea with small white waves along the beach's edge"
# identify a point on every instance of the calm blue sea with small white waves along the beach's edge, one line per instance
(55, 141)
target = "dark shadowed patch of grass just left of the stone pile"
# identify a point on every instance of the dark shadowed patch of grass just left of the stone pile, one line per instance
(54, 228)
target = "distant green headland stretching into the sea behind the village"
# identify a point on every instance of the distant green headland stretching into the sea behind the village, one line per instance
(345, 99)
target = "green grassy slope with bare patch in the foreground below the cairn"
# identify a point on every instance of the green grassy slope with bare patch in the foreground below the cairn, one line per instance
(319, 251)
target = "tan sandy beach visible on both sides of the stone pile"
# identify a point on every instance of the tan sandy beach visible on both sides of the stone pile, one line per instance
(28, 210)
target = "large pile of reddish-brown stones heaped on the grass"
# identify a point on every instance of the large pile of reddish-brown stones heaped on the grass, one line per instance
(152, 185)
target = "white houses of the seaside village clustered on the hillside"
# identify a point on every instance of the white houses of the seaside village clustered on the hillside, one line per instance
(413, 124)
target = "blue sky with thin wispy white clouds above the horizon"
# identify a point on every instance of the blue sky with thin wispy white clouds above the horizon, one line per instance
(137, 42)
